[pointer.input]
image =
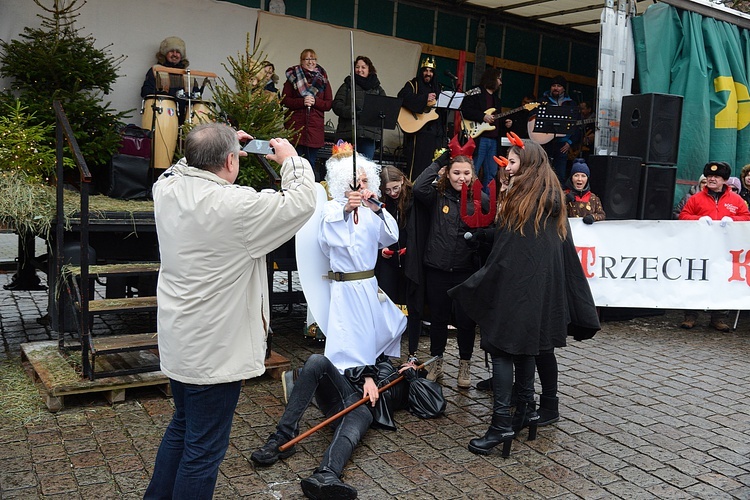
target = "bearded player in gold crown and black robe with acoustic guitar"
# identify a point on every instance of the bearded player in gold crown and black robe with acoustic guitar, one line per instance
(419, 96)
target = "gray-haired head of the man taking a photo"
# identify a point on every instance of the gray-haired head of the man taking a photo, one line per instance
(208, 145)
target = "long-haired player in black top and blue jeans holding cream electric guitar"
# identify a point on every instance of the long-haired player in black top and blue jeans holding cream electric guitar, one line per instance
(477, 106)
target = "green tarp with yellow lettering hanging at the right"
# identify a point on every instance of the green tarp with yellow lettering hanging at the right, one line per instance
(708, 63)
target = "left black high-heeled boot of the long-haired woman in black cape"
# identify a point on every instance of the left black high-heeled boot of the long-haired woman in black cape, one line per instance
(500, 431)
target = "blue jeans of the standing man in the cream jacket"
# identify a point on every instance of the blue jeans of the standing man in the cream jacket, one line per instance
(195, 442)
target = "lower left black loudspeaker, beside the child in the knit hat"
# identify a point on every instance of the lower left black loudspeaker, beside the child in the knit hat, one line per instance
(616, 181)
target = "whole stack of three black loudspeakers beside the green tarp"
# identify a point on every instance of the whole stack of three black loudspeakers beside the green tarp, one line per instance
(639, 183)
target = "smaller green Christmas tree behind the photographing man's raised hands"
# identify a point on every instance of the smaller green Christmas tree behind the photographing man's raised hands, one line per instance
(247, 106)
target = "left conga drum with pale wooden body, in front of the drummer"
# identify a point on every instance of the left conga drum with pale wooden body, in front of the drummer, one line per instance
(165, 124)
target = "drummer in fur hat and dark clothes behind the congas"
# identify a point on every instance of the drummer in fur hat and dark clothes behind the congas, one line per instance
(171, 55)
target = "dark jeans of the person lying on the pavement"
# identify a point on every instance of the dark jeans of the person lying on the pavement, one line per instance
(333, 392)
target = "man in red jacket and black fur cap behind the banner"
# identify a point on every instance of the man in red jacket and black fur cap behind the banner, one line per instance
(716, 202)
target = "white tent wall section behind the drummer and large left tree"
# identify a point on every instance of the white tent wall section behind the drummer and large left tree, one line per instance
(212, 32)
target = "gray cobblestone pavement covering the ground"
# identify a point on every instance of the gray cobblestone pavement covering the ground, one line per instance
(648, 411)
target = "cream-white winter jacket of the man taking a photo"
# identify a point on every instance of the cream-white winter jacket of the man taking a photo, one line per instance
(213, 308)
